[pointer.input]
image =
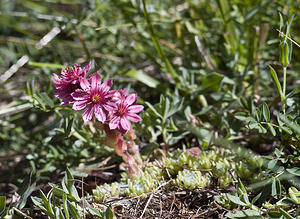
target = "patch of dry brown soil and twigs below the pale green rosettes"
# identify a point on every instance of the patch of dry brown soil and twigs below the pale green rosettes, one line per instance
(170, 203)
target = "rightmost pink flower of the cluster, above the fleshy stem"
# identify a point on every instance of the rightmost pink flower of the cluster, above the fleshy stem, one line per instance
(127, 110)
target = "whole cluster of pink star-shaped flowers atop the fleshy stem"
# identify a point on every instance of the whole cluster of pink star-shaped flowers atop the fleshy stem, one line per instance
(112, 107)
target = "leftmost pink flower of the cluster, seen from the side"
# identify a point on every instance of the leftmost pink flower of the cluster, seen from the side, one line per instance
(68, 82)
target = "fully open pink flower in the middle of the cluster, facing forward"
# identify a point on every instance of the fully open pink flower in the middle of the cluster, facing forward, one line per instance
(94, 98)
